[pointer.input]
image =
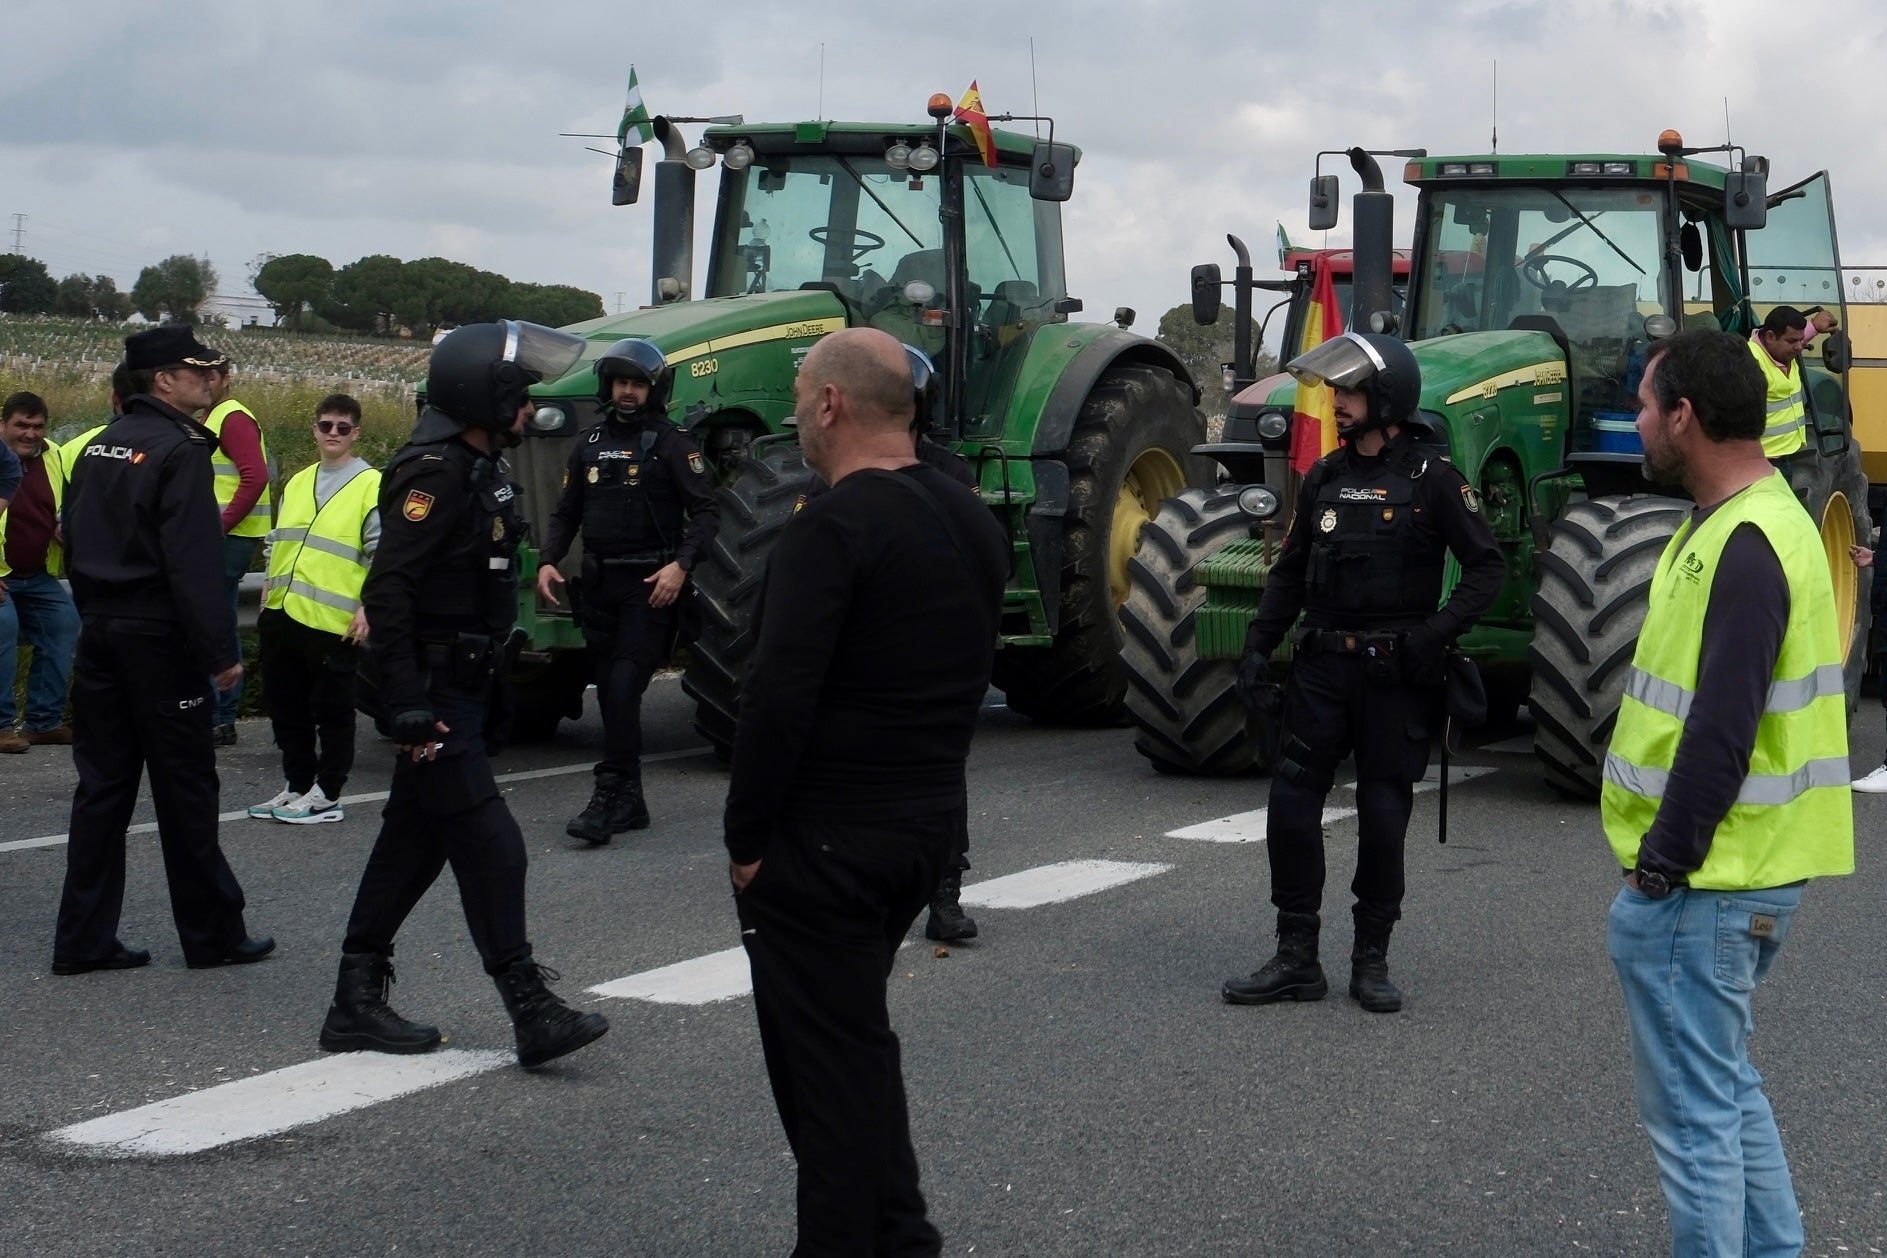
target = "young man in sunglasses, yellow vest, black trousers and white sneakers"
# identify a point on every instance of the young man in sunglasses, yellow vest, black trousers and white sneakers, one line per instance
(312, 627)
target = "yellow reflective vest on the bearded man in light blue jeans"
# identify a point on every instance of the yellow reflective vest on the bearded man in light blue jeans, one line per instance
(1794, 814)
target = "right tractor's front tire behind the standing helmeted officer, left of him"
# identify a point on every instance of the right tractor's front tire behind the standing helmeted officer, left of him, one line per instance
(1186, 710)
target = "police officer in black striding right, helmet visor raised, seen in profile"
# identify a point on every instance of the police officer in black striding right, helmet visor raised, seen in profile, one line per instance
(443, 601)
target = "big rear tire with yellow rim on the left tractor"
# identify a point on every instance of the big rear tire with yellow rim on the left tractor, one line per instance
(1131, 450)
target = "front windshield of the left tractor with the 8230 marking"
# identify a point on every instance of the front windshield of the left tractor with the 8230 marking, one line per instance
(850, 225)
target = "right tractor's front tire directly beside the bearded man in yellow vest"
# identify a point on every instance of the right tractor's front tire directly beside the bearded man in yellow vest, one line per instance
(1595, 588)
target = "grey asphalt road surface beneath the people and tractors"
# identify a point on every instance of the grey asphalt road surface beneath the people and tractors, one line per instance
(1077, 1084)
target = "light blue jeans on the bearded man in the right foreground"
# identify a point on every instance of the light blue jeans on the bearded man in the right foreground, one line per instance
(1690, 965)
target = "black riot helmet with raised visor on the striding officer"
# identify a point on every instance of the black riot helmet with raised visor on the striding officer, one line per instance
(480, 374)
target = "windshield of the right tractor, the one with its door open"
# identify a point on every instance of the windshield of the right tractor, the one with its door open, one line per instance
(1582, 263)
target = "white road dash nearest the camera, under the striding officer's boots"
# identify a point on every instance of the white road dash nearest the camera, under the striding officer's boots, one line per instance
(275, 1102)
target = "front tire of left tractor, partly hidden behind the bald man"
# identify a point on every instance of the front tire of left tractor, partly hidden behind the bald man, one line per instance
(756, 506)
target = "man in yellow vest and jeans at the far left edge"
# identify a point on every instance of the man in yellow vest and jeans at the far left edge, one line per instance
(35, 608)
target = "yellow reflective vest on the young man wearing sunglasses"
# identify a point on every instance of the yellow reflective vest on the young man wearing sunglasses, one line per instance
(316, 563)
